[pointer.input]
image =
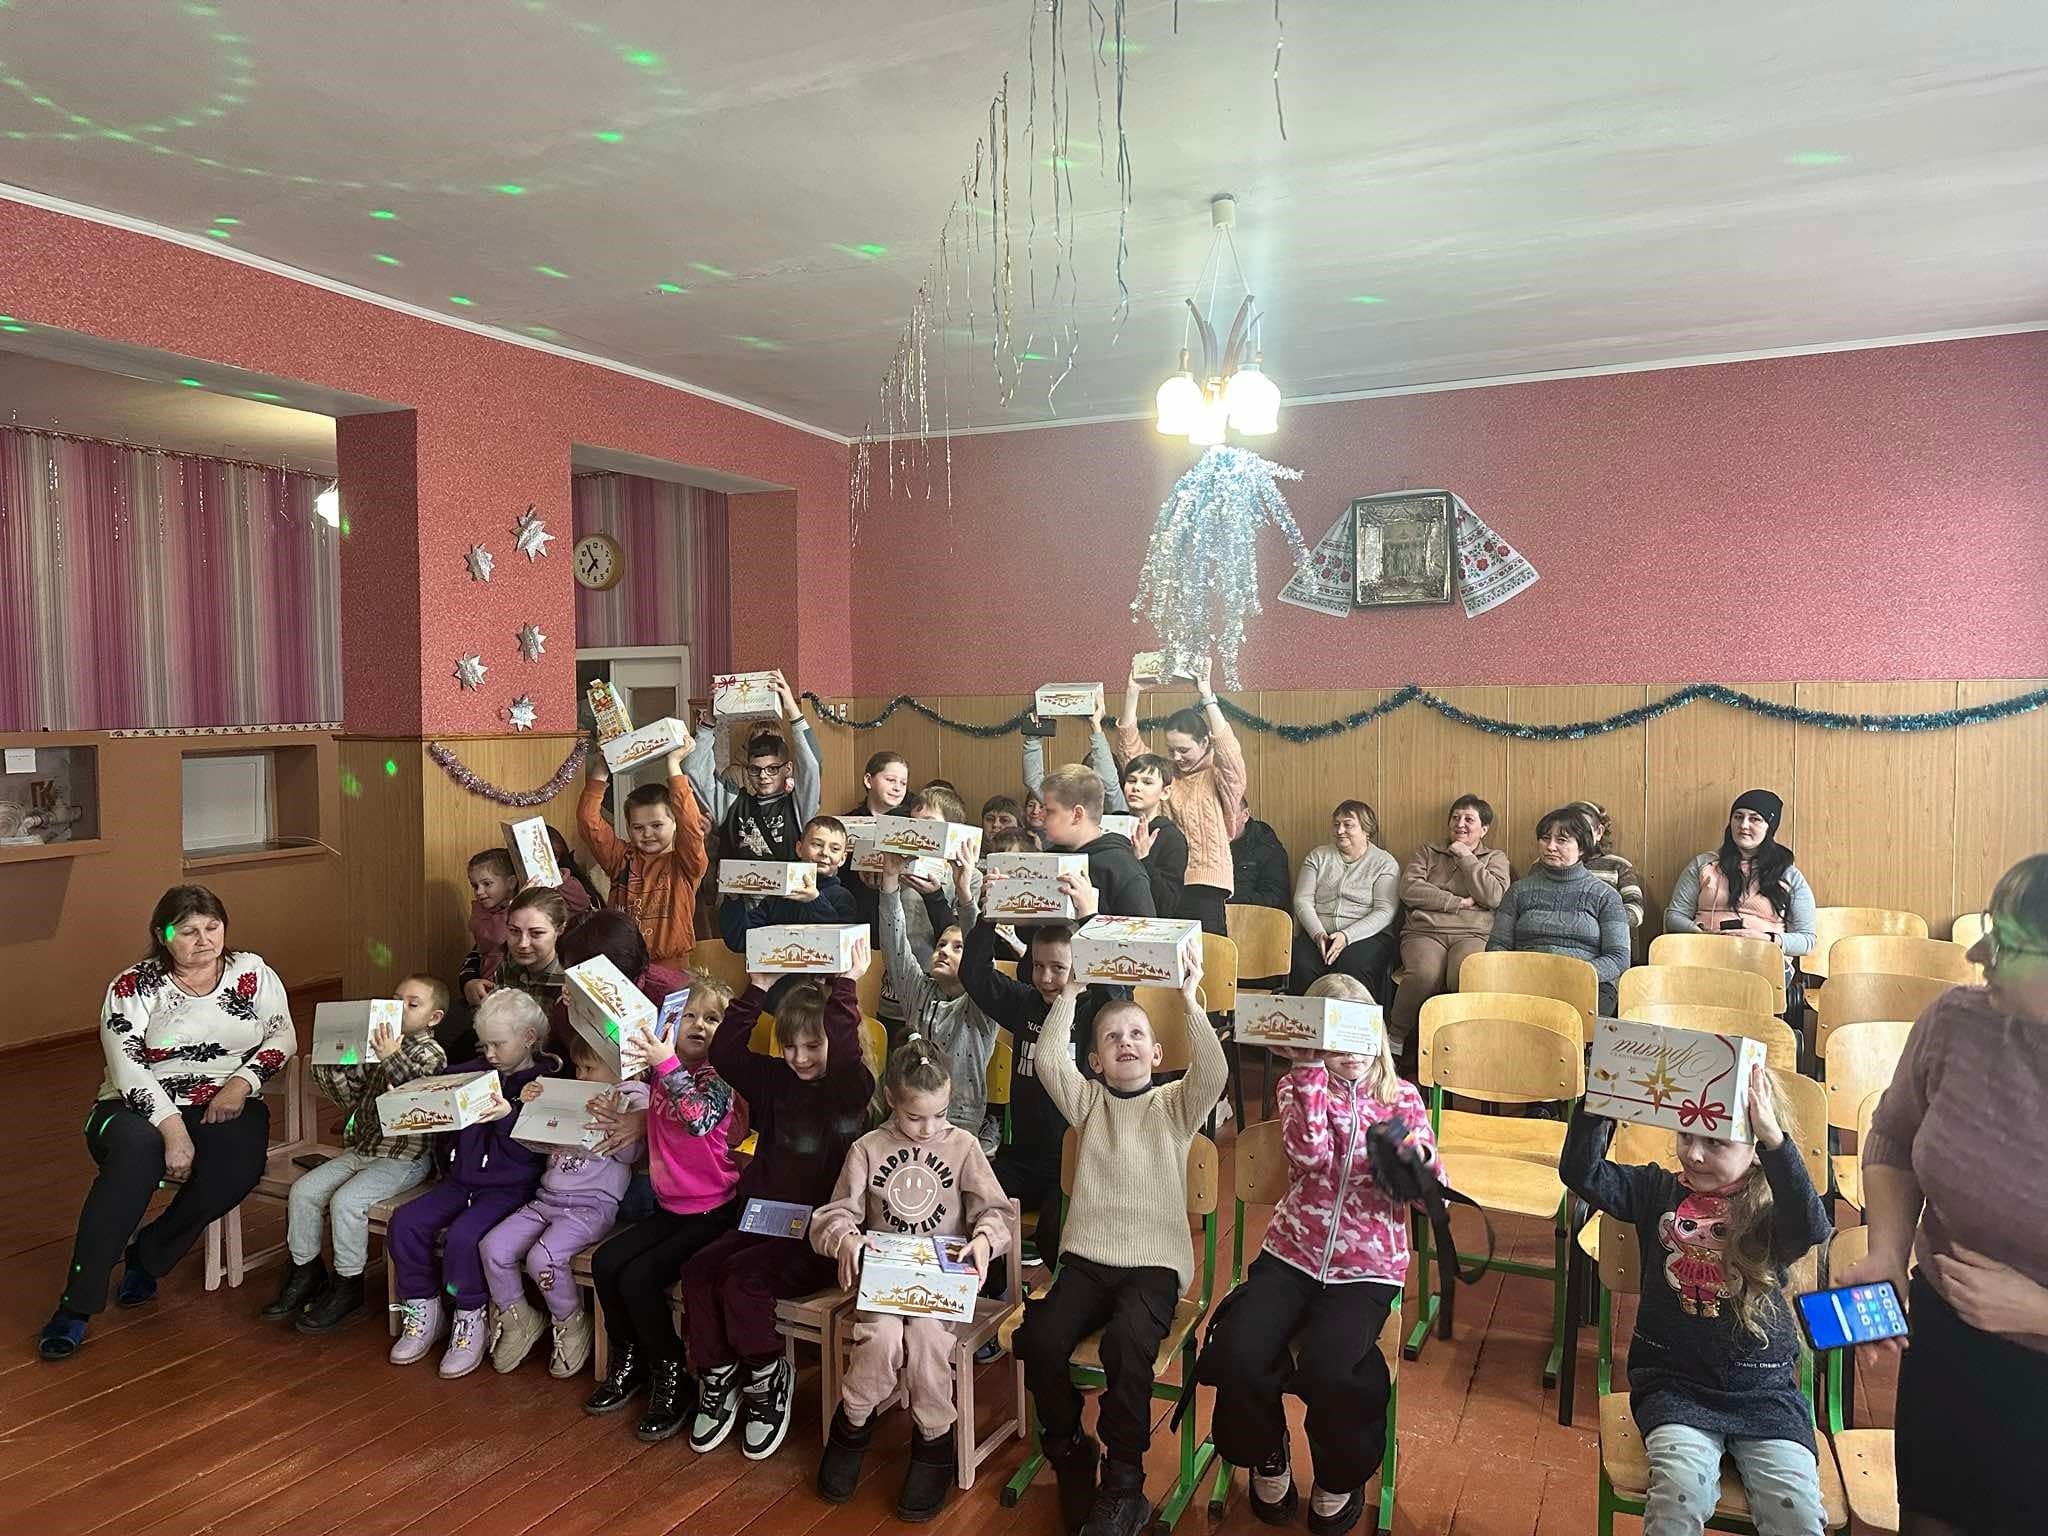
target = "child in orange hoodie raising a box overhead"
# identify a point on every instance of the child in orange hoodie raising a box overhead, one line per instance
(656, 871)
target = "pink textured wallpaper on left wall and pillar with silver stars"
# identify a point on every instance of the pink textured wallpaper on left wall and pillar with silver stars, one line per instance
(497, 425)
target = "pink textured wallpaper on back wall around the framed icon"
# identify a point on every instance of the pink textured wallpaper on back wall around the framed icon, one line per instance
(1846, 517)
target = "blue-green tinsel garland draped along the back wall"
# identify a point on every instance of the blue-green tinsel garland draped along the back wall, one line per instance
(1936, 720)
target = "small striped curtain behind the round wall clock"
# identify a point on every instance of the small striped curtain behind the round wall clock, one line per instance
(675, 589)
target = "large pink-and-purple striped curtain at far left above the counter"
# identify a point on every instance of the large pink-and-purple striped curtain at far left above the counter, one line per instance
(146, 589)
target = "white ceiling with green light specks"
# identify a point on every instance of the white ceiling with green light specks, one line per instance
(1525, 187)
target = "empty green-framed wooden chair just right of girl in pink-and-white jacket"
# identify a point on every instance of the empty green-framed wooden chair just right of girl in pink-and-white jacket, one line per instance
(1502, 1050)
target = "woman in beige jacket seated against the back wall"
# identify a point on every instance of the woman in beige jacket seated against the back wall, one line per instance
(1451, 892)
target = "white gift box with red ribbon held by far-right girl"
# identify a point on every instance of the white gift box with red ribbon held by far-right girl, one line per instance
(1680, 1080)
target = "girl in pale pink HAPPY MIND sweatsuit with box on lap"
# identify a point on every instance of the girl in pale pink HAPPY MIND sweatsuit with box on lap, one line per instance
(916, 1175)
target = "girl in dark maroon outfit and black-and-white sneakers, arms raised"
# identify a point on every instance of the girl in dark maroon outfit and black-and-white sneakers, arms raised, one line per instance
(808, 1109)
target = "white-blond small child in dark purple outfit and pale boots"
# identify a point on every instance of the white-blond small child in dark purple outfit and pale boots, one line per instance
(484, 1179)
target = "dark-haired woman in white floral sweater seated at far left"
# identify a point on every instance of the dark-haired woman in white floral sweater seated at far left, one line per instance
(191, 1035)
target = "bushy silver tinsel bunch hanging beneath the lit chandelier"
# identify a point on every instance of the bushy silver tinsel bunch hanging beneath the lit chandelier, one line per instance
(1201, 574)
